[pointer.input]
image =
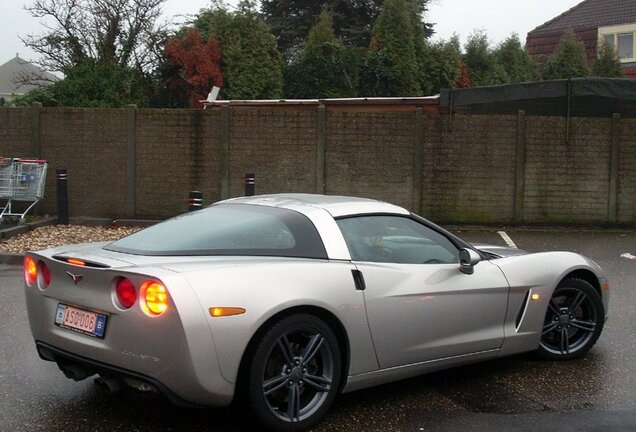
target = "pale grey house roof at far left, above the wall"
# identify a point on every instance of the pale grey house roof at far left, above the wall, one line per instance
(14, 72)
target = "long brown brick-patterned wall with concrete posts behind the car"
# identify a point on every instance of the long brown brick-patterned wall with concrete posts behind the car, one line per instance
(510, 169)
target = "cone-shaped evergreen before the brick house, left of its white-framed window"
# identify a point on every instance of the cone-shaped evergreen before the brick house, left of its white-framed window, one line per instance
(568, 61)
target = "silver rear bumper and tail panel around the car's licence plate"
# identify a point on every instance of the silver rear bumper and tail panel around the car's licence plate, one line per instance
(173, 353)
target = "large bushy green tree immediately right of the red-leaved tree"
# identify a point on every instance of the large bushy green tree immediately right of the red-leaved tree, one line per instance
(250, 61)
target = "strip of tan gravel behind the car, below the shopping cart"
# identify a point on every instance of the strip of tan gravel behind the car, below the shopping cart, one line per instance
(58, 235)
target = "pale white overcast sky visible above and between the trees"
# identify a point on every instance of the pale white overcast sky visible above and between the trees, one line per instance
(499, 18)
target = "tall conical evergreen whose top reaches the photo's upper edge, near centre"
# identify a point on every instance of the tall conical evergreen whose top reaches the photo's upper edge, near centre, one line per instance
(392, 66)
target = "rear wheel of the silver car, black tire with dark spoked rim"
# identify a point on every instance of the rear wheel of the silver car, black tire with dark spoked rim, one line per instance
(294, 373)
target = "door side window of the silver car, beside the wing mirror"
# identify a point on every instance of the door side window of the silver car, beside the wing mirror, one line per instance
(395, 239)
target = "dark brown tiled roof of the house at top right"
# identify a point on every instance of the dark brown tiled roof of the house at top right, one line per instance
(589, 14)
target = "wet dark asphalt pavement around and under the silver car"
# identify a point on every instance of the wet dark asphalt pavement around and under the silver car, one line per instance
(521, 393)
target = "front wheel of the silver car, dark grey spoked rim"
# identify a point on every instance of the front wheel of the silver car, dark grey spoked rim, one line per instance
(573, 322)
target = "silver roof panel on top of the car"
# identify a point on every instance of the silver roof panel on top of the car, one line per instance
(337, 206)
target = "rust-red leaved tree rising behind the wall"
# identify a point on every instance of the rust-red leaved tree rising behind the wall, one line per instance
(200, 63)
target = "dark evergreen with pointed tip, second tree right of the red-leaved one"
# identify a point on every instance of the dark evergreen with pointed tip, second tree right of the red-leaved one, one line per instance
(325, 69)
